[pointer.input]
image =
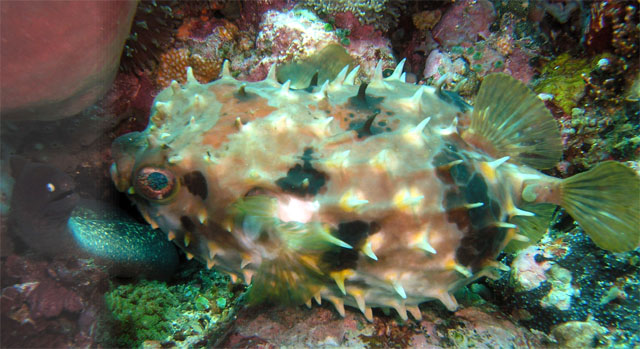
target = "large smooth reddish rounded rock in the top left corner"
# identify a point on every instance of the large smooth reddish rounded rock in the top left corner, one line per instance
(58, 58)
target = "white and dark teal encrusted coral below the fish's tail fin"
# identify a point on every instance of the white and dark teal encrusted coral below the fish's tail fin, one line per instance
(578, 268)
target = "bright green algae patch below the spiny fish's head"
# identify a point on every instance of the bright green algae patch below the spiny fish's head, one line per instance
(153, 311)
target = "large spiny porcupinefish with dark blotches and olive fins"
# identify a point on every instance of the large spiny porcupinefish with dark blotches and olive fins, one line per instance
(384, 194)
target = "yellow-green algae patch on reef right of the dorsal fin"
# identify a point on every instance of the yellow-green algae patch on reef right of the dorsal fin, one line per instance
(563, 78)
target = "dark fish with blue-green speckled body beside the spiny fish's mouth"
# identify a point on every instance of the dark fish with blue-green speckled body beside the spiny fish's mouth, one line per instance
(50, 218)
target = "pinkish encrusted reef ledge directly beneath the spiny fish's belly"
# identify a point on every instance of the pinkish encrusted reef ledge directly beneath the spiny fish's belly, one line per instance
(472, 326)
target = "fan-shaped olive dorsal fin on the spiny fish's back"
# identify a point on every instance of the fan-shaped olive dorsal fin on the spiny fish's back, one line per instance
(508, 119)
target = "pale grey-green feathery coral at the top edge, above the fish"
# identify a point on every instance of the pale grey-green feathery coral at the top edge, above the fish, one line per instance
(383, 15)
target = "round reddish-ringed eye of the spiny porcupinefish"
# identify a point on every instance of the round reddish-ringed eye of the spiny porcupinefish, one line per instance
(155, 183)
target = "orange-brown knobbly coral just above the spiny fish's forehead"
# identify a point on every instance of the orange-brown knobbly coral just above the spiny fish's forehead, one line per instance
(173, 66)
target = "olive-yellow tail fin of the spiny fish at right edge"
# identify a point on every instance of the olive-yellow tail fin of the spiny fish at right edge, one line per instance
(606, 202)
